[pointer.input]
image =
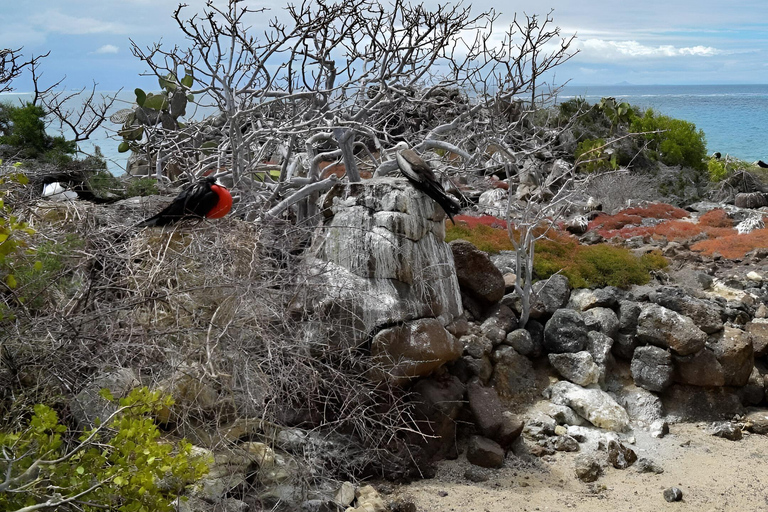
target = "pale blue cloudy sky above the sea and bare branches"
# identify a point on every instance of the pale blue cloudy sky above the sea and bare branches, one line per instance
(644, 42)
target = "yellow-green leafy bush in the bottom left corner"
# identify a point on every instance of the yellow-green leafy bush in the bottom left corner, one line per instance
(119, 465)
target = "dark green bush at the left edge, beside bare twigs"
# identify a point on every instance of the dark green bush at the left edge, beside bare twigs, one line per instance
(24, 129)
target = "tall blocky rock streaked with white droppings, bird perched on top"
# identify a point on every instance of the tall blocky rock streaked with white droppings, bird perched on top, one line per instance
(382, 260)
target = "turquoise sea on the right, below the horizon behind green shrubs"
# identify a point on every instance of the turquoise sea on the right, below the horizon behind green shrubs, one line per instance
(733, 117)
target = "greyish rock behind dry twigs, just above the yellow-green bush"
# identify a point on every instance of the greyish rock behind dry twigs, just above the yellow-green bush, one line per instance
(88, 404)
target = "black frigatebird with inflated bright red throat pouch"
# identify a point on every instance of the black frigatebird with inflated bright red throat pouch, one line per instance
(205, 199)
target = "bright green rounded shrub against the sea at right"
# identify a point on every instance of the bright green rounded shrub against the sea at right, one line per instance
(676, 142)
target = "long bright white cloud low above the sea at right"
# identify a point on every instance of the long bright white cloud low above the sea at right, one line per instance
(615, 50)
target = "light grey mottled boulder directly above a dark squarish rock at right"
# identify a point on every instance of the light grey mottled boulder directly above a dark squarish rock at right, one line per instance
(665, 328)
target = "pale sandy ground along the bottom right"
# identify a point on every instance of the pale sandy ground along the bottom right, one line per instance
(714, 474)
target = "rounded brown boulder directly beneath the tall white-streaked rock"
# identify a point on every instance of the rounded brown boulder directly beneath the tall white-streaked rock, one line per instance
(413, 350)
